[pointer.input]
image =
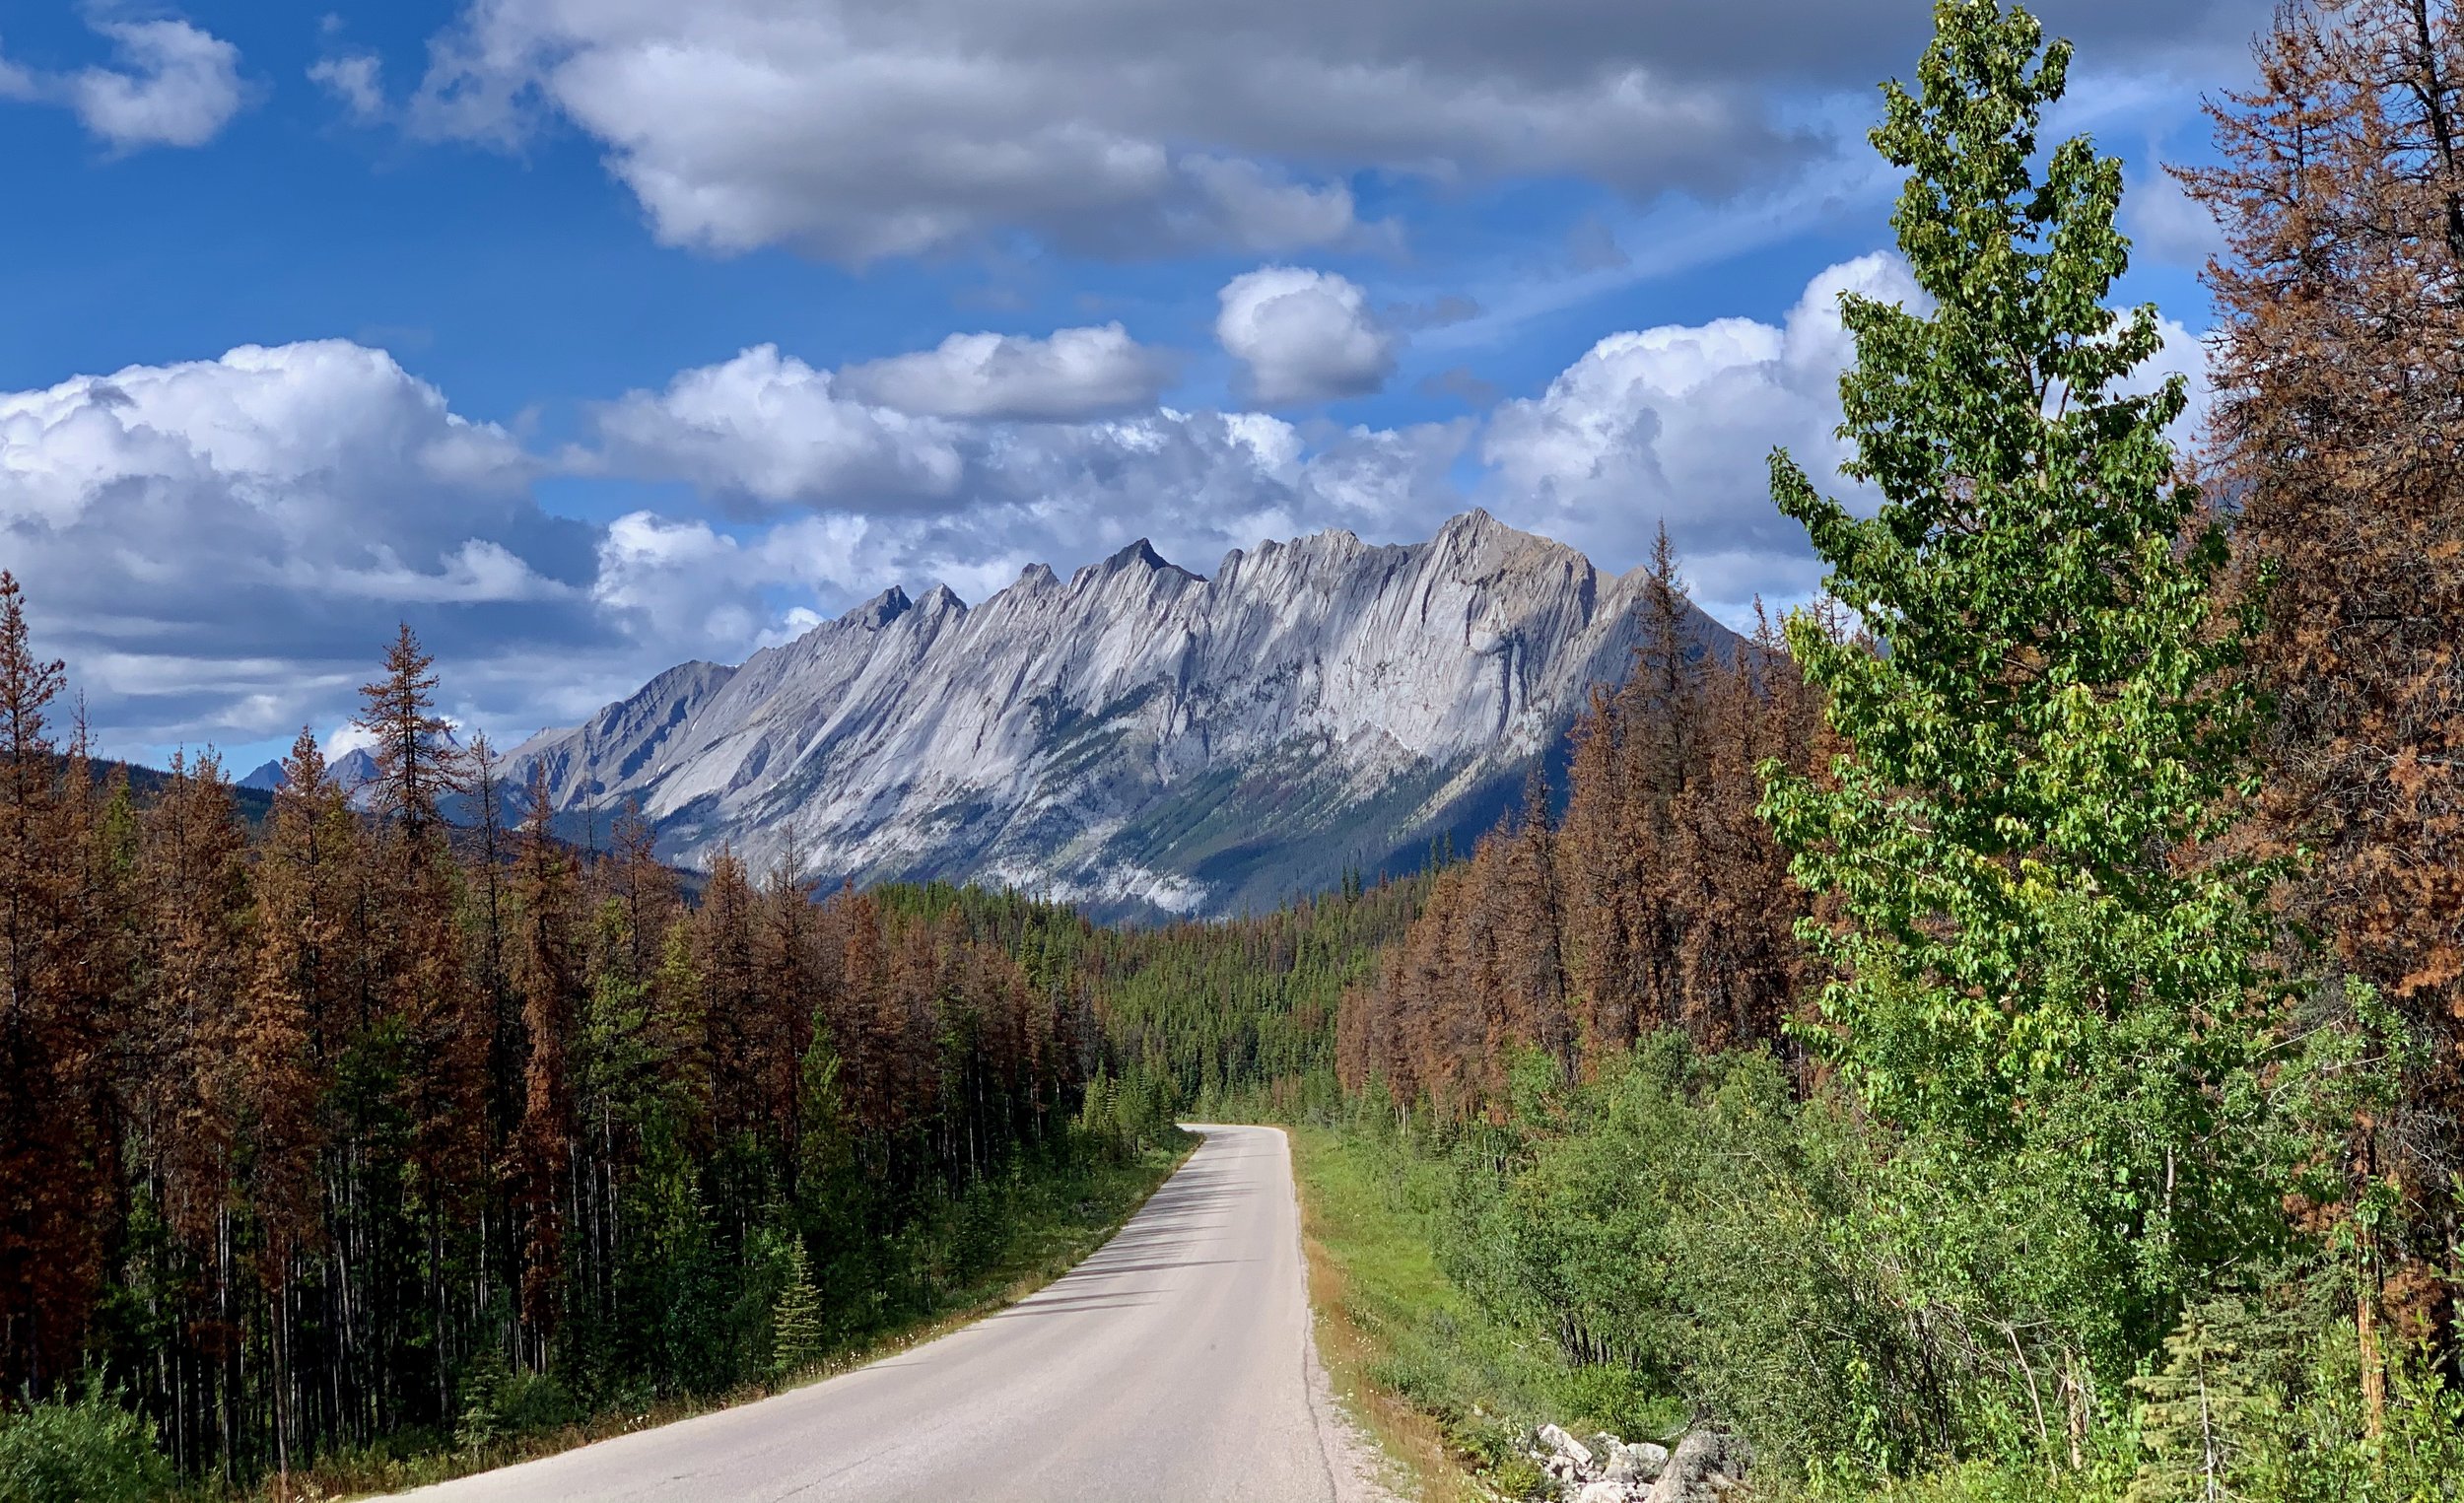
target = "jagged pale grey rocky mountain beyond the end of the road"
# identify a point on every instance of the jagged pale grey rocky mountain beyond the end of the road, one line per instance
(1140, 738)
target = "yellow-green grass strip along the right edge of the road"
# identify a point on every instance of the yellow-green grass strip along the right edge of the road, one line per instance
(1443, 1386)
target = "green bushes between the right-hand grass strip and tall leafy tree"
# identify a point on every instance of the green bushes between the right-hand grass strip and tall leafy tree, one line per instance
(1682, 1228)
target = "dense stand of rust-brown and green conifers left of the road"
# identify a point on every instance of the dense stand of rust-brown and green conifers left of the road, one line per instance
(354, 1122)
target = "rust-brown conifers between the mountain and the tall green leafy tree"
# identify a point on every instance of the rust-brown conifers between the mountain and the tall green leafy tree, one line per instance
(1657, 901)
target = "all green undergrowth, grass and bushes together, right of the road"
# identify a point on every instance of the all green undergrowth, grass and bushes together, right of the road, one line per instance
(1684, 1241)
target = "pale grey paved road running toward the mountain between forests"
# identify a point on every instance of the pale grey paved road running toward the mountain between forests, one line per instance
(1172, 1366)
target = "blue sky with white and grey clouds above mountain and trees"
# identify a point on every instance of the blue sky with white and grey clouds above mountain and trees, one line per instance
(602, 334)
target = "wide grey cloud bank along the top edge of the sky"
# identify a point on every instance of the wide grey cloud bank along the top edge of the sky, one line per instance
(1115, 127)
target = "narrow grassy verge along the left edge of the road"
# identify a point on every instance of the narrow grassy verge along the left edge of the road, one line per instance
(1053, 1228)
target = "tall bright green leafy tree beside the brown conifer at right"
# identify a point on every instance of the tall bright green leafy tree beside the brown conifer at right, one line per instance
(2041, 974)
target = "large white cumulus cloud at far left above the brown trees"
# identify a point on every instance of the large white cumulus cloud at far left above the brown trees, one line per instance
(221, 546)
